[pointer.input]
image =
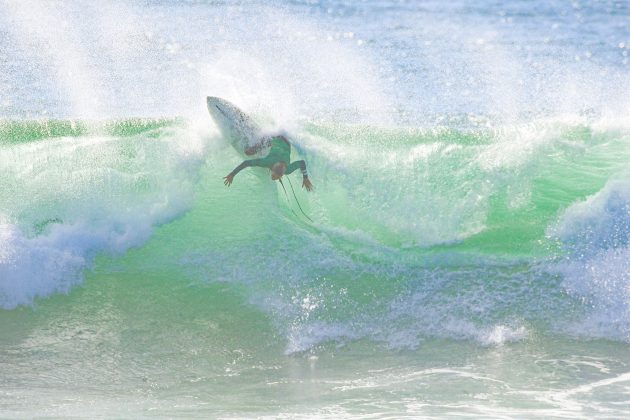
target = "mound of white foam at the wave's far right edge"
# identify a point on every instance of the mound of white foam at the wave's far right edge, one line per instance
(596, 235)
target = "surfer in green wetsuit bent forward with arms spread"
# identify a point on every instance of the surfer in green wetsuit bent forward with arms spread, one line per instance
(277, 160)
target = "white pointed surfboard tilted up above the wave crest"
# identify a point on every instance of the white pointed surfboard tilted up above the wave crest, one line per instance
(239, 128)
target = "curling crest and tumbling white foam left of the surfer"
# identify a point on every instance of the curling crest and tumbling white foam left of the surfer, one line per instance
(68, 199)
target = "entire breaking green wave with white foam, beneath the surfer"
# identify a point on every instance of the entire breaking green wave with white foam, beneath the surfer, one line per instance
(459, 233)
